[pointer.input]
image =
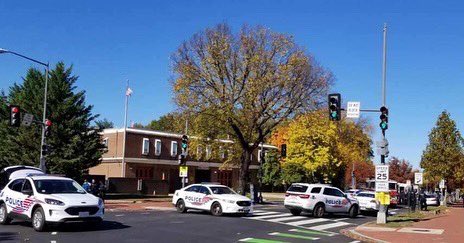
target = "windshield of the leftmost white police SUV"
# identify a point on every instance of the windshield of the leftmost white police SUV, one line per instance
(58, 186)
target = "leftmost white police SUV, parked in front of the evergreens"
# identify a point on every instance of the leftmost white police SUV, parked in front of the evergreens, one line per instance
(45, 199)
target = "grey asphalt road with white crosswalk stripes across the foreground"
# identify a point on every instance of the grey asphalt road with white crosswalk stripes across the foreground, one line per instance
(270, 224)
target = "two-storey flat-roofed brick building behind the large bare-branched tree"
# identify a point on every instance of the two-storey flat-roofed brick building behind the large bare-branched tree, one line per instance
(153, 155)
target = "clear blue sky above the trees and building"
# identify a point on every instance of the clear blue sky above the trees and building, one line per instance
(111, 42)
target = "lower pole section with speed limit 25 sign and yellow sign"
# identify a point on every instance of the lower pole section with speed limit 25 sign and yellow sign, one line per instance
(382, 191)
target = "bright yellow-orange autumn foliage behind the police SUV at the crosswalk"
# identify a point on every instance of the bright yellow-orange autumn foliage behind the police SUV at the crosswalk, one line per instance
(319, 150)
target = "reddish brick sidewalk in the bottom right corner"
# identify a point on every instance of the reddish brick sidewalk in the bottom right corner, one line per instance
(447, 227)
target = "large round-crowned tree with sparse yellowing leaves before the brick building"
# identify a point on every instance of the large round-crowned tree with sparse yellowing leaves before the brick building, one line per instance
(246, 83)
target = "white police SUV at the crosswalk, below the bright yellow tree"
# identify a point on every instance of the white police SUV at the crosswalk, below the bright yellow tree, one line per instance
(319, 199)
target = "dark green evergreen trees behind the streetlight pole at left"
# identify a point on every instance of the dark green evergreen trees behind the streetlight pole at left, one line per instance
(76, 144)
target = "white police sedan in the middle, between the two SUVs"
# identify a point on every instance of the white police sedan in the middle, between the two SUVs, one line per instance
(217, 199)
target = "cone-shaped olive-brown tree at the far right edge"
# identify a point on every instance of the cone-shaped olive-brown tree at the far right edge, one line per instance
(443, 156)
